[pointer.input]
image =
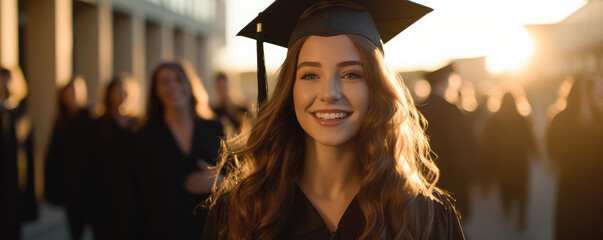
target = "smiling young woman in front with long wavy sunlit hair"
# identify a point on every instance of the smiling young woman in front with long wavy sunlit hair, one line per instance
(337, 152)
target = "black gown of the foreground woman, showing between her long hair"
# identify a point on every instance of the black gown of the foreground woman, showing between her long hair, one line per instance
(306, 223)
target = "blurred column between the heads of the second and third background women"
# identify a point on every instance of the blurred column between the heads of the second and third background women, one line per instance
(93, 35)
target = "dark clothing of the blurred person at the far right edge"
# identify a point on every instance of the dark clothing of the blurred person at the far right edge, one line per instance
(576, 150)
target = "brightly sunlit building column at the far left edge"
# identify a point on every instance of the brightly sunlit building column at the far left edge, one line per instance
(9, 34)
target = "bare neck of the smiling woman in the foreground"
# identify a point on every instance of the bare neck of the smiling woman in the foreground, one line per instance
(330, 172)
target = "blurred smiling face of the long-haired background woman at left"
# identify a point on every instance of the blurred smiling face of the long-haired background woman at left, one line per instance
(172, 90)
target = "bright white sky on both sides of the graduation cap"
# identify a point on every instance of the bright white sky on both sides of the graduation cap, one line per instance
(455, 29)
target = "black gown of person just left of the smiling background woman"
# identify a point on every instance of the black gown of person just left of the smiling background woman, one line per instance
(112, 215)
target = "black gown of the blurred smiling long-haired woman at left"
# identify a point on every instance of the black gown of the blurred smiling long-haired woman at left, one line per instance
(167, 210)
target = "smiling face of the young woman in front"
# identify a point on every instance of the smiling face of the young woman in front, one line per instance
(330, 95)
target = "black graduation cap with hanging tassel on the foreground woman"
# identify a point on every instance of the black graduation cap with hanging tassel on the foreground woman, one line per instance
(285, 21)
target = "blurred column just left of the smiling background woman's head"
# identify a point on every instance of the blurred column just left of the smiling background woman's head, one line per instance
(129, 53)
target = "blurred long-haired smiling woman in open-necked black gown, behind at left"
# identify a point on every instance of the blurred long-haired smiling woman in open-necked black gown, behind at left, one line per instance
(172, 154)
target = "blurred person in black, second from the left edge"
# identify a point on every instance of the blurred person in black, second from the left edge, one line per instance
(67, 168)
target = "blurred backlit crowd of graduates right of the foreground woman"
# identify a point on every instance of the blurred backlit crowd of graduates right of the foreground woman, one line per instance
(494, 150)
